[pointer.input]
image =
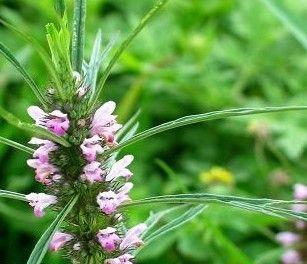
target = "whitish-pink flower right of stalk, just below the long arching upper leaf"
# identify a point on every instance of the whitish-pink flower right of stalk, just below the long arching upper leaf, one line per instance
(119, 169)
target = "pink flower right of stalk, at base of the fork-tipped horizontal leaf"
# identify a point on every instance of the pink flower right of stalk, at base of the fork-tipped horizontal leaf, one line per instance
(109, 201)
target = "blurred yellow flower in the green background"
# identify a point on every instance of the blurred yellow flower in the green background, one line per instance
(217, 175)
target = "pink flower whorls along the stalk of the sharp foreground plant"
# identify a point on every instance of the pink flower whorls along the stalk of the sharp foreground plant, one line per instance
(106, 185)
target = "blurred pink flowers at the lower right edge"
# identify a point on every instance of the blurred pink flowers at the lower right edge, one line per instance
(292, 240)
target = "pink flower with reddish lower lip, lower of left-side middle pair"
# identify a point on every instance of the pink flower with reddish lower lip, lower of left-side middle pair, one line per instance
(44, 172)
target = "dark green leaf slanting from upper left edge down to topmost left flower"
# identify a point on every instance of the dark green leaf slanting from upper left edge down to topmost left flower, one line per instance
(10, 57)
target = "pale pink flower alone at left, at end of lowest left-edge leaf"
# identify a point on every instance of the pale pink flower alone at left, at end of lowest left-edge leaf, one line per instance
(40, 201)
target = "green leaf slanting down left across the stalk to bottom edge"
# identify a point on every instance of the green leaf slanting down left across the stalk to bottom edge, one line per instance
(42, 245)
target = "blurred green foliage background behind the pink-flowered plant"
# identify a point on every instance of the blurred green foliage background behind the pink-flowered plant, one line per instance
(195, 56)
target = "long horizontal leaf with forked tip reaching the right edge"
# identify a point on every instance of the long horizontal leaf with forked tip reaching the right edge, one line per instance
(266, 206)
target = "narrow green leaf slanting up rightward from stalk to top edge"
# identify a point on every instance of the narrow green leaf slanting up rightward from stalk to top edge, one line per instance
(144, 21)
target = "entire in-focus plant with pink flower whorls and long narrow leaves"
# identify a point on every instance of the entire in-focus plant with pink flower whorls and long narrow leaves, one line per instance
(77, 153)
